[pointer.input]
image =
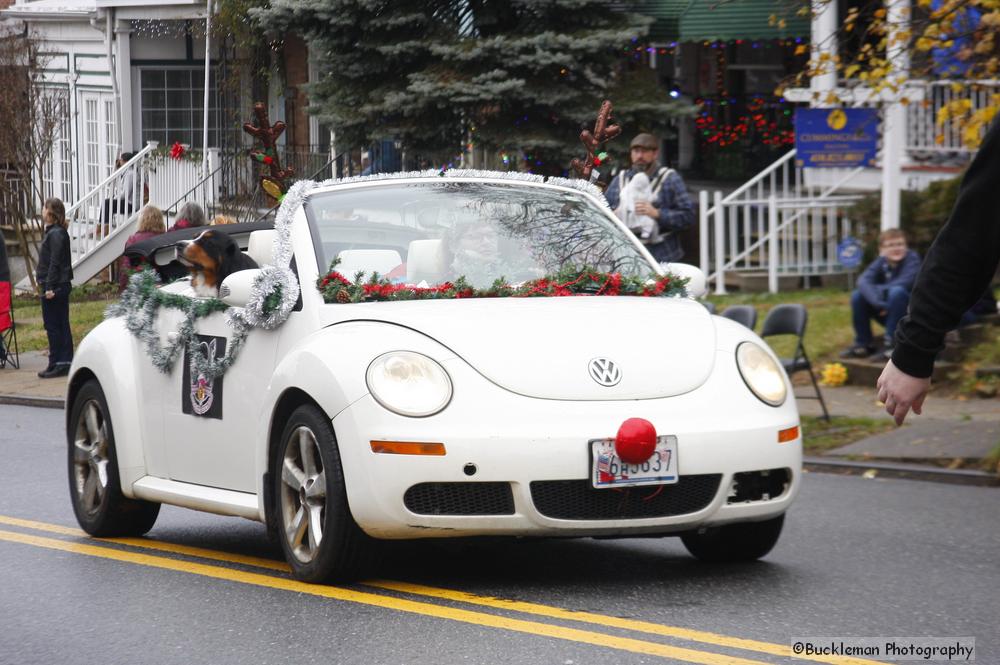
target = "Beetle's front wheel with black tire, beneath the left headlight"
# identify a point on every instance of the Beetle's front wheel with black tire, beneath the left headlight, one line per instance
(310, 491)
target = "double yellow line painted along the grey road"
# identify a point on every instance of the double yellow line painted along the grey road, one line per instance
(600, 639)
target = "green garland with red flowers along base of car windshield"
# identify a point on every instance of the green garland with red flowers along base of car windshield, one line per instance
(569, 281)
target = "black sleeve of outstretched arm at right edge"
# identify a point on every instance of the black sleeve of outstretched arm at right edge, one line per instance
(959, 265)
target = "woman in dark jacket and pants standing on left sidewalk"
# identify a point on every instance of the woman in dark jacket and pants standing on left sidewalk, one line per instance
(54, 275)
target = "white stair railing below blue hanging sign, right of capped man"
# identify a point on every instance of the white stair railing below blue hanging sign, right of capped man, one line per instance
(774, 224)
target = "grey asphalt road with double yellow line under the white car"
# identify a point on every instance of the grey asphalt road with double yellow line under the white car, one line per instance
(858, 558)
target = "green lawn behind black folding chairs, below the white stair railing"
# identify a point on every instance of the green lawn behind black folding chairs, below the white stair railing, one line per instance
(828, 330)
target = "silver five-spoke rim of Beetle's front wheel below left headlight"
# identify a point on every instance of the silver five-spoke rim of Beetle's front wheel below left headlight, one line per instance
(303, 494)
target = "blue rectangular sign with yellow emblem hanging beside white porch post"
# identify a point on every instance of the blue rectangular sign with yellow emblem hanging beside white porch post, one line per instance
(836, 138)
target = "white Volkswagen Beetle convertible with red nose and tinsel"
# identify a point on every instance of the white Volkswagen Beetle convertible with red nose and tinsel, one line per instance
(511, 362)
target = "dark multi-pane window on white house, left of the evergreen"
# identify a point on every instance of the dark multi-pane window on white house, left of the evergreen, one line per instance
(172, 107)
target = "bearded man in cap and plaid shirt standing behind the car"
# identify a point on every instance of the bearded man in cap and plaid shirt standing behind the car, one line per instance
(669, 203)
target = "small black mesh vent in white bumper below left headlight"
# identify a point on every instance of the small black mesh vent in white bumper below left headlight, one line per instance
(460, 499)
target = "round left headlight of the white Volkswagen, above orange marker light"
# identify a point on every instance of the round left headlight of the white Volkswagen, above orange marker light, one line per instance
(409, 383)
